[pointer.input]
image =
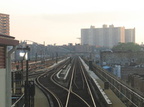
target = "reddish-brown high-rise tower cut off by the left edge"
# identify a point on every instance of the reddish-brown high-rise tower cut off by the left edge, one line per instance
(4, 24)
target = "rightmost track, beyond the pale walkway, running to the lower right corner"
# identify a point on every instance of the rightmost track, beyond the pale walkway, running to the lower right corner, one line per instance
(128, 96)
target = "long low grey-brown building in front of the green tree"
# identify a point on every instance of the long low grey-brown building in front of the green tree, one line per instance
(124, 58)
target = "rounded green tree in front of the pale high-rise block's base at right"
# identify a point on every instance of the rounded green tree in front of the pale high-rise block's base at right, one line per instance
(127, 47)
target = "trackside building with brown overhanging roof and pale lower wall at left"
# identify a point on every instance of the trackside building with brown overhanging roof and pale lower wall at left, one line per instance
(5, 68)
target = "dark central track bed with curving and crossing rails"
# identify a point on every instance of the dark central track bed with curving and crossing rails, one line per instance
(76, 93)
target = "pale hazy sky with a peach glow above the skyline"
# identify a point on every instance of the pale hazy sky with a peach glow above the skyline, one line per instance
(60, 21)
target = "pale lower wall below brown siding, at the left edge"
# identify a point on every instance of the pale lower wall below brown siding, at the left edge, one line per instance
(2, 87)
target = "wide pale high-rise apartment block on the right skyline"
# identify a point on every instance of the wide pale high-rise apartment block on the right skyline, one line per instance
(106, 36)
